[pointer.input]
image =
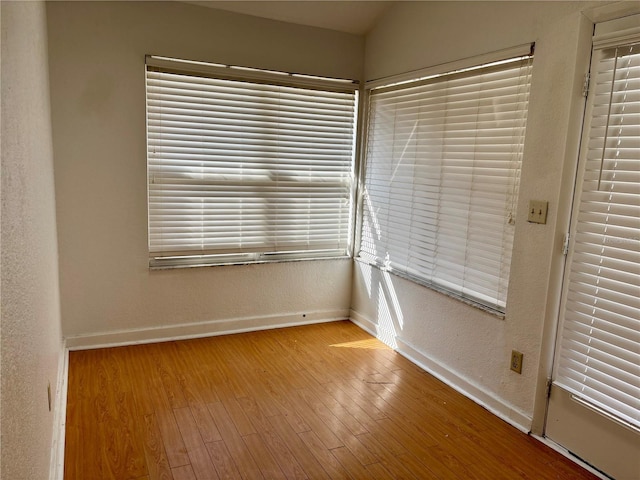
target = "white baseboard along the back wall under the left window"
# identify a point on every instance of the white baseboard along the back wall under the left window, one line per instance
(201, 329)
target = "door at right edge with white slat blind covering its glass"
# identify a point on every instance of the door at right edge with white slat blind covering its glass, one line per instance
(594, 407)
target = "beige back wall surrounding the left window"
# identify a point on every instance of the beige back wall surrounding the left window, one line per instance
(98, 109)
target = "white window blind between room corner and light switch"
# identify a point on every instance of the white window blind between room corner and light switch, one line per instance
(443, 157)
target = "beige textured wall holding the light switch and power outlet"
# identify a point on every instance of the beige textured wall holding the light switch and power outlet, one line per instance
(468, 347)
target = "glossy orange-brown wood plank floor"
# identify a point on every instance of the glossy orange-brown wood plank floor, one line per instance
(324, 401)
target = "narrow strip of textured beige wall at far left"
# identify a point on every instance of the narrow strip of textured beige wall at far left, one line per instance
(30, 325)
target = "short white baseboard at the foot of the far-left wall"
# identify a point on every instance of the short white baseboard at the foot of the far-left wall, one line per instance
(56, 466)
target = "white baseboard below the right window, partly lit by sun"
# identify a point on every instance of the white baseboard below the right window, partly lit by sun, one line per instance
(495, 405)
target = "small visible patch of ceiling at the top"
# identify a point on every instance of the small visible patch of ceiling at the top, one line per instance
(356, 17)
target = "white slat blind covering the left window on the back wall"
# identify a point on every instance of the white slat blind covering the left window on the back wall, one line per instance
(247, 169)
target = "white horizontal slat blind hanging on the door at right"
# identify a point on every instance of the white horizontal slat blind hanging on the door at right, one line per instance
(600, 340)
